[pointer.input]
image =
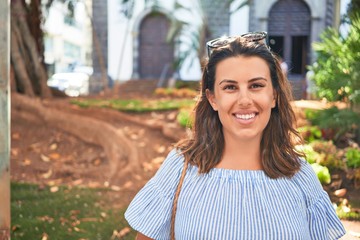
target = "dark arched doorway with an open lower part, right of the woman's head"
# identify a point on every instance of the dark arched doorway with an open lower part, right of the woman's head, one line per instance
(289, 34)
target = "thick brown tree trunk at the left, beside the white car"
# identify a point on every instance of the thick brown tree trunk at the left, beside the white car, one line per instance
(27, 62)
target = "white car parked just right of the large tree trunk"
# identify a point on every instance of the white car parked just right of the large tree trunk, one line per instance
(74, 84)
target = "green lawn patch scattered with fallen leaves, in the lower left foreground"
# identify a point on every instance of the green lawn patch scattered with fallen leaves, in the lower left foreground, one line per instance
(69, 213)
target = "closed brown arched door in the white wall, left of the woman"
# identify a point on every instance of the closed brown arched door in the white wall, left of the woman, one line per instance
(155, 54)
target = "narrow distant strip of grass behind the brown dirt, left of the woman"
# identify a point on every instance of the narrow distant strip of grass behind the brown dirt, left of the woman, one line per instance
(136, 105)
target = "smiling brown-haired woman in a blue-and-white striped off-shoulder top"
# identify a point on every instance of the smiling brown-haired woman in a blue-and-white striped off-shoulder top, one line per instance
(238, 176)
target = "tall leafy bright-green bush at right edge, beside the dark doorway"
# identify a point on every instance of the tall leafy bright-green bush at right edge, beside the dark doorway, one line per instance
(337, 69)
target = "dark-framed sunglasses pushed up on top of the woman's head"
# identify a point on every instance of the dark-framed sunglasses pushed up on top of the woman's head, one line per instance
(222, 41)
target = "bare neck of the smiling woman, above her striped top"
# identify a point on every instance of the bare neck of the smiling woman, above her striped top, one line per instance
(241, 155)
